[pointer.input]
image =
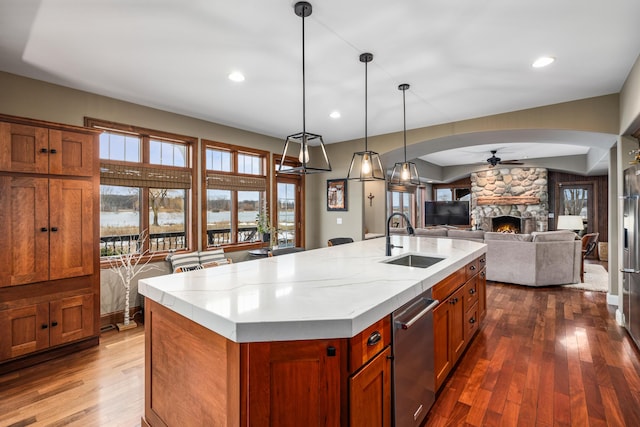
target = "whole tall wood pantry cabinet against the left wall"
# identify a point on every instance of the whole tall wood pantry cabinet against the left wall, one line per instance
(49, 228)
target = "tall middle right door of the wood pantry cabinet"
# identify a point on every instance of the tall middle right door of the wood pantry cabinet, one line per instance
(71, 237)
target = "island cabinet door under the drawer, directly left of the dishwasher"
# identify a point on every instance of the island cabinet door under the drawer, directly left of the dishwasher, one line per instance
(370, 393)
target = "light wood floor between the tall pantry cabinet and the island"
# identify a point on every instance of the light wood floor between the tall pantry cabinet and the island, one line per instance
(100, 386)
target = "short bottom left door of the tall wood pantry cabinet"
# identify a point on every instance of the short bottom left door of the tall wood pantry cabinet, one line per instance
(24, 330)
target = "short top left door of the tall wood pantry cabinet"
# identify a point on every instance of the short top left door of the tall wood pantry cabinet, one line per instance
(24, 148)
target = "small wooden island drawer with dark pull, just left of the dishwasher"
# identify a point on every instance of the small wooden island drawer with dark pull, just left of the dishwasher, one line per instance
(368, 343)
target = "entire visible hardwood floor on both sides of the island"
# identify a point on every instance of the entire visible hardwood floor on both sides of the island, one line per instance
(544, 357)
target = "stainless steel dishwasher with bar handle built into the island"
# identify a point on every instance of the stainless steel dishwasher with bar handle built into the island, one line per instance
(413, 361)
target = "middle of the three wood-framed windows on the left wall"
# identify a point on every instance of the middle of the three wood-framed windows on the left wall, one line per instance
(236, 182)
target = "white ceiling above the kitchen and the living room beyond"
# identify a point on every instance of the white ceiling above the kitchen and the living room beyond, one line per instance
(462, 58)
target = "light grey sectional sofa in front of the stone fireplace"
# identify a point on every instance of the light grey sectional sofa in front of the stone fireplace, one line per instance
(536, 259)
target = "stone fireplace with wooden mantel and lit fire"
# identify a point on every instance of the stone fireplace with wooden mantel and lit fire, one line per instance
(519, 193)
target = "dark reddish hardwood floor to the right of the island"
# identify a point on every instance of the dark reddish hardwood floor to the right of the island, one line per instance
(544, 357)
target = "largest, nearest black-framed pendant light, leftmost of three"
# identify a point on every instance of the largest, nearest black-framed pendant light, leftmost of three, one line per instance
(297, 145)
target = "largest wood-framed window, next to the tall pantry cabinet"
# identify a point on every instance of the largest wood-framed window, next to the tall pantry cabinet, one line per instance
(145, 184)
